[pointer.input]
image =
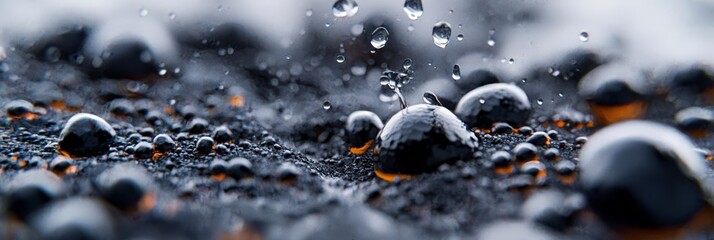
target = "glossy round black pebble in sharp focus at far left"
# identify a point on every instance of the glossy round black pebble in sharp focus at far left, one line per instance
(86, 135)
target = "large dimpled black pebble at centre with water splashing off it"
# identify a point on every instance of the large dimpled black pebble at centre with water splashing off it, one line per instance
(422, 137)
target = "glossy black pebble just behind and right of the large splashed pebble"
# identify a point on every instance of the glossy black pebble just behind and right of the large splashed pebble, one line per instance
(492, 103)
